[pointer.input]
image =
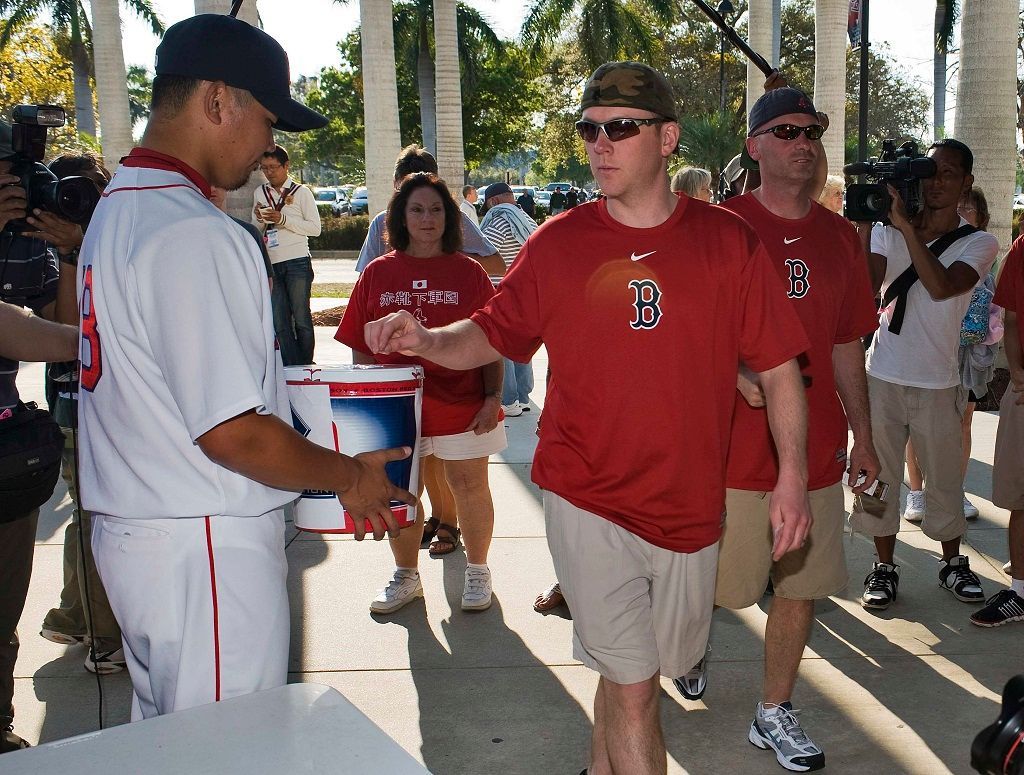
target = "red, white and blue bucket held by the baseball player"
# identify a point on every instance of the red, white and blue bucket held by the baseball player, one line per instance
(353, 410)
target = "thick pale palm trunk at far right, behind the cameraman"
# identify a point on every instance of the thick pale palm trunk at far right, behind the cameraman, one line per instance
(987, 109)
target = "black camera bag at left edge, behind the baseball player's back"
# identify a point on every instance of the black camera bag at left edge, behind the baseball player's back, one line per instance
(31, 445)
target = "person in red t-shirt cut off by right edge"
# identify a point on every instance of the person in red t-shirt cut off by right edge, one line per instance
(1008, 470)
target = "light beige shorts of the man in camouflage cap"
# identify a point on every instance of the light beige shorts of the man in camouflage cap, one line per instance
(637, 610)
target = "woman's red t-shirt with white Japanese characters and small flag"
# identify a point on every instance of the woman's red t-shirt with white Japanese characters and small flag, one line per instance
(438, 291)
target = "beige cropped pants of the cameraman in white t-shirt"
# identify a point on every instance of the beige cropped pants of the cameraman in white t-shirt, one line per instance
(932, 420)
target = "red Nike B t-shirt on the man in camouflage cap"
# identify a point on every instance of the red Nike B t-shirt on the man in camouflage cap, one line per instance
(645, 329)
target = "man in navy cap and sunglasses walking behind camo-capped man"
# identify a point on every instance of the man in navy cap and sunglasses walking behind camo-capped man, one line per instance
(820, 259)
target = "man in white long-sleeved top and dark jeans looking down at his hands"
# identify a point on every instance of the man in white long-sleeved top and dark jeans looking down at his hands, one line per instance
(288, 212)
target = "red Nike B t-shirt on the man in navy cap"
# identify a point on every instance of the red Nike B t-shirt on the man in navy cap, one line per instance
(823, 266)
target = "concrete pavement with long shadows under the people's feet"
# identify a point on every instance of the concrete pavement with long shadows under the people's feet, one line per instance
(901, 692)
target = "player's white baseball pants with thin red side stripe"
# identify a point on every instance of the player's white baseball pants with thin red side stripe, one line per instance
(202, 604)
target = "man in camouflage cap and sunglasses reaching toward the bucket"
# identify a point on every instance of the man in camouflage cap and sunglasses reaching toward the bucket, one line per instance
(647, 304)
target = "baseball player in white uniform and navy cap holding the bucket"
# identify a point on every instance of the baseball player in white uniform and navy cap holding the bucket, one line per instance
(188, 450)
